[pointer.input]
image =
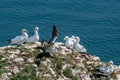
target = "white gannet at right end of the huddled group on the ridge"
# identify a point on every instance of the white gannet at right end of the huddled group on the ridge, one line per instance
(79, 47)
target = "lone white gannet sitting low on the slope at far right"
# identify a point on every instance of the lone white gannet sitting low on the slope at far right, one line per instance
(108, 69)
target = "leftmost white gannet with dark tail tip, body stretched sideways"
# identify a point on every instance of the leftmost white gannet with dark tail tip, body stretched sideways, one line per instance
(19, 39)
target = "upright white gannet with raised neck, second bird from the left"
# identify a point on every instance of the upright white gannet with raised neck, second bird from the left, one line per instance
(35, 37)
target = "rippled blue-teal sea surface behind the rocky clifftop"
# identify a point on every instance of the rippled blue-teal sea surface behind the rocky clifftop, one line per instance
(96, 22)
